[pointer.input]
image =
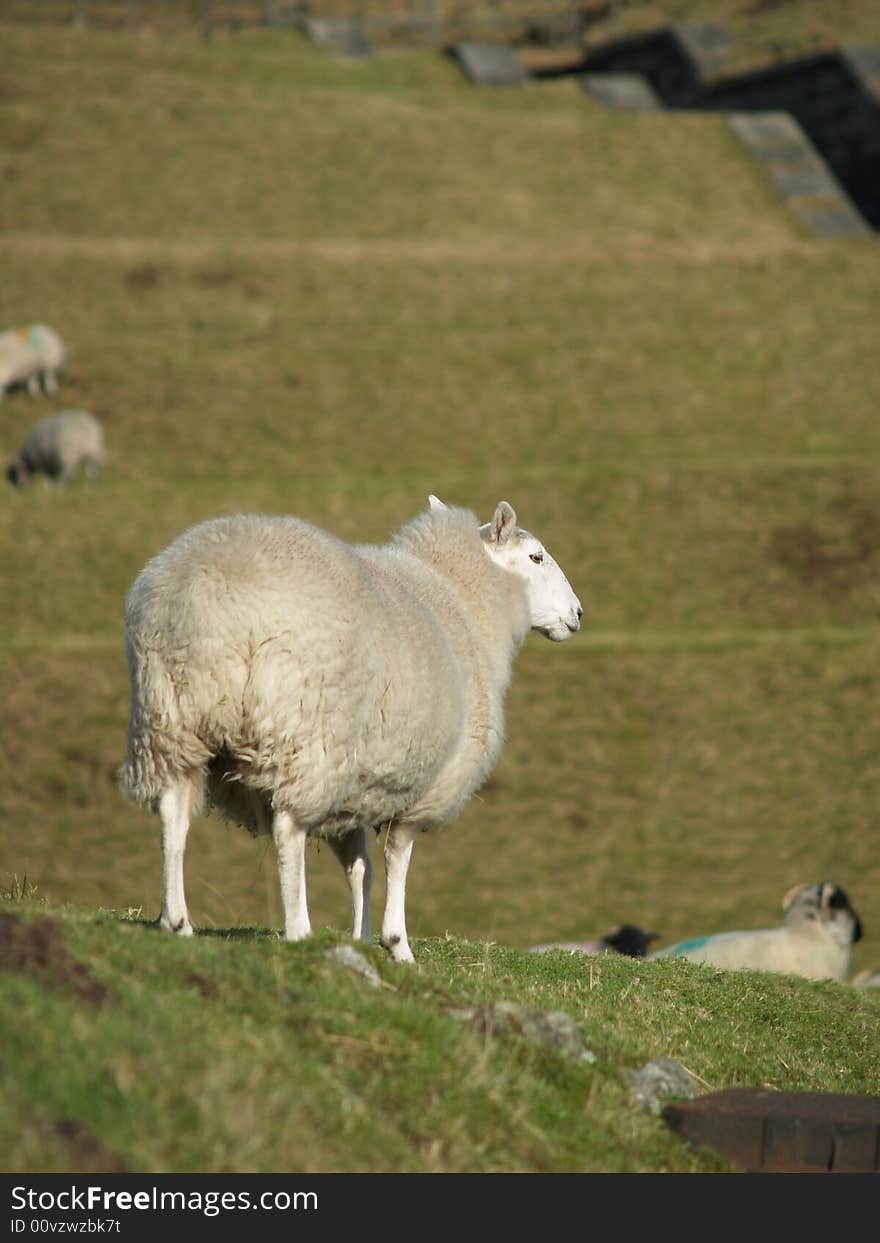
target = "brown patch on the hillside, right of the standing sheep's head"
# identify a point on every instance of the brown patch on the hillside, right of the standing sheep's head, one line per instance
(837, 556)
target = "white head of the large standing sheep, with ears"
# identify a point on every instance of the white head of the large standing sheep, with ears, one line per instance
(554, 608)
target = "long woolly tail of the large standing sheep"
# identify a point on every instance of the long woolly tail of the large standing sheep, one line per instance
(162, 750)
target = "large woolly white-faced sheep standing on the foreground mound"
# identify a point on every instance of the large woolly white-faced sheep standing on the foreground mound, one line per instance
(310, 688)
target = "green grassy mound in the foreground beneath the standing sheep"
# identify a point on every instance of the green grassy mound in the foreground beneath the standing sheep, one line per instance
(241, 1053)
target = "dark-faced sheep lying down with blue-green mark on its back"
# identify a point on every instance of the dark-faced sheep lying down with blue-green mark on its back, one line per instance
(818, 932)
